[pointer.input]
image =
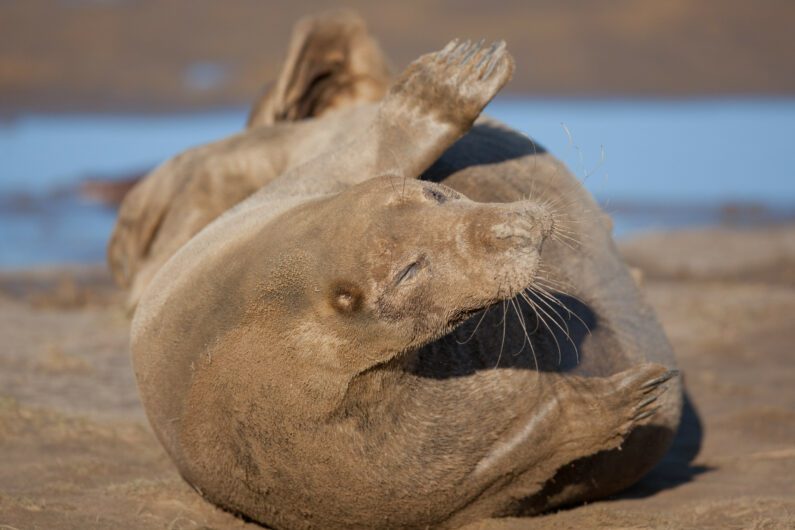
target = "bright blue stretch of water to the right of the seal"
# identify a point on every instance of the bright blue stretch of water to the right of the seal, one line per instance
(692, 151)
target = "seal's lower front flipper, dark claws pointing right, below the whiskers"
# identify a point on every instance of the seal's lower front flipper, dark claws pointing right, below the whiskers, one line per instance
(576, 417)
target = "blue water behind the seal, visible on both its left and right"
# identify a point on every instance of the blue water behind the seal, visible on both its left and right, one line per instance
(683, 159)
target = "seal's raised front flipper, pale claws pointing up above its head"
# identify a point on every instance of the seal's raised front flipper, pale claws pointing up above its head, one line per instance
(431, 105)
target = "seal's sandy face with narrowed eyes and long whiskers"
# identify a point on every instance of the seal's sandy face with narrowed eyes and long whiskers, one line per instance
(398, 263)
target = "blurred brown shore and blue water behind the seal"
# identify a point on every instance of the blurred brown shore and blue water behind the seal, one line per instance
(674, 114)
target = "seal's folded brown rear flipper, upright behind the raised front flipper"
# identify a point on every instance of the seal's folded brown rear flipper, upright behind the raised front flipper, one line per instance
(332, 62)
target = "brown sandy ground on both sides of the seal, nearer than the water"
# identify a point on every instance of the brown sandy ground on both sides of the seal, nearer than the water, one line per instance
(76, 450)
